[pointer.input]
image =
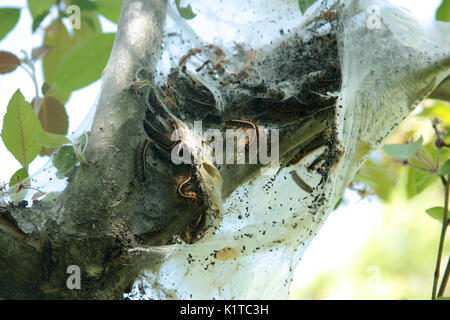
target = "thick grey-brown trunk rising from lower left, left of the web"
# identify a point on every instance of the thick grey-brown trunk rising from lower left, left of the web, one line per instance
(37, 244)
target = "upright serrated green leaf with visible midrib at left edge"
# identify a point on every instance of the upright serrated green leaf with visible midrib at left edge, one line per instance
(20, 124)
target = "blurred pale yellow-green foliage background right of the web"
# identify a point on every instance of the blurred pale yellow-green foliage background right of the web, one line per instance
(398, 260)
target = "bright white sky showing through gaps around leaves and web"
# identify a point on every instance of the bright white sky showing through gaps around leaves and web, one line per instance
(345, 231)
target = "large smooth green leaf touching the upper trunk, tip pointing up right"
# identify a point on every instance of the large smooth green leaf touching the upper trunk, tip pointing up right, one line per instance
(84, 63)
